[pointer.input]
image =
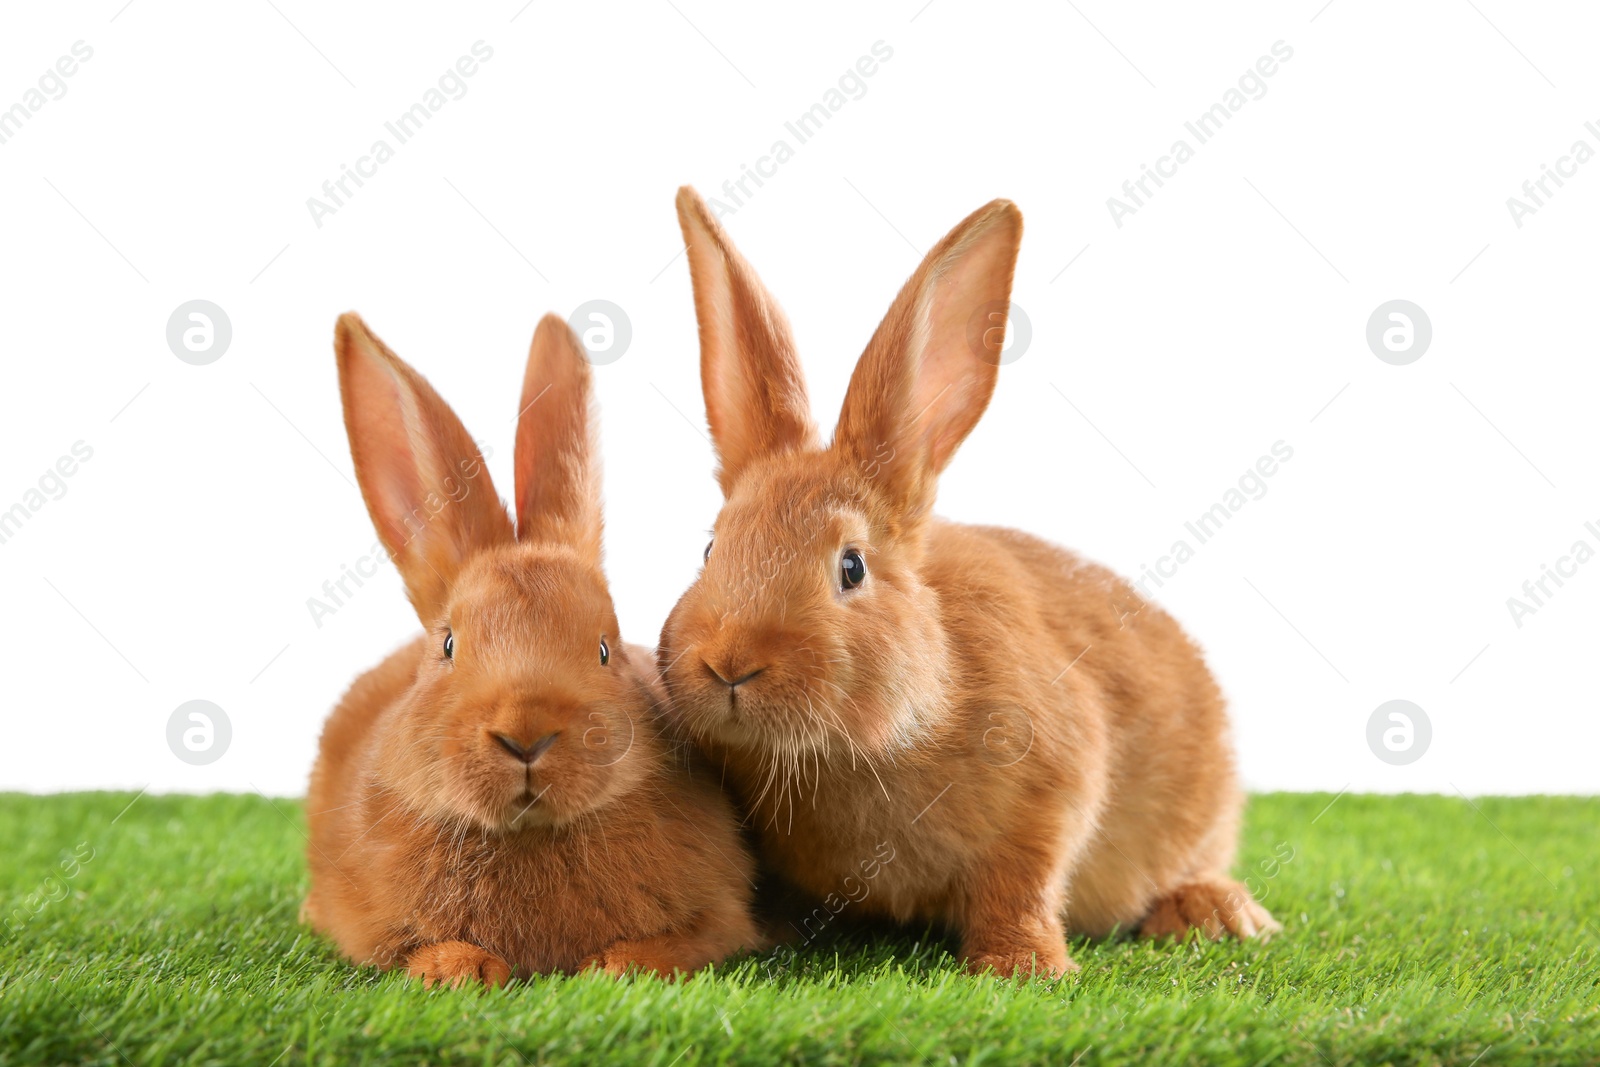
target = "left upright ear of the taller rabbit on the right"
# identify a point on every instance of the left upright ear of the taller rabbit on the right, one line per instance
(754, 391)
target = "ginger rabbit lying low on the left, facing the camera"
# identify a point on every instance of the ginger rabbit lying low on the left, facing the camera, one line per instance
(497, 799)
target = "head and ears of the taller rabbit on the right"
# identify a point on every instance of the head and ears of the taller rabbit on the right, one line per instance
(810, 626)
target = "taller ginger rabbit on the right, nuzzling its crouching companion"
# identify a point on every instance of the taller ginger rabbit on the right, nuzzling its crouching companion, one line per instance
(940, 724)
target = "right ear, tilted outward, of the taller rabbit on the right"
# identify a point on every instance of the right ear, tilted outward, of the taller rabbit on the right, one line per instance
(930, 369)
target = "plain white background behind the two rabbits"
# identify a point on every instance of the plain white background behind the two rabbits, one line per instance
(1225, 316)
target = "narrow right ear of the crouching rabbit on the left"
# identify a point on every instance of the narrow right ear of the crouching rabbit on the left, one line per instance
(558, 462)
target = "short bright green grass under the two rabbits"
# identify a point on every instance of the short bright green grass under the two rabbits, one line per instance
(1420, 930)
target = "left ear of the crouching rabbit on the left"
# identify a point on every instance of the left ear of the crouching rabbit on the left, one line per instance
(423, 479)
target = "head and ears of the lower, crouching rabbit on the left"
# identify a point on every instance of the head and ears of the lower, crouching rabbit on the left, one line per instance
(526, 709)
